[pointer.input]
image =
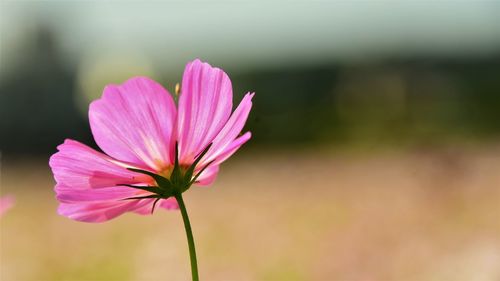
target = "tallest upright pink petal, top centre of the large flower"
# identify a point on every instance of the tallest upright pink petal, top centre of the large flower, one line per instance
(205, 104)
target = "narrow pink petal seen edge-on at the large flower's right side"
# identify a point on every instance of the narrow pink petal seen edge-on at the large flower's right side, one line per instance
(223, 142)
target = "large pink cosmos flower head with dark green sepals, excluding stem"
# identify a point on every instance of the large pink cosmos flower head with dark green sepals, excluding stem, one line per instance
(152, 149)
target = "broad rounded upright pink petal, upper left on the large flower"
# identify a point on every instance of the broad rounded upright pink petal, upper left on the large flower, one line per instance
(134, 122)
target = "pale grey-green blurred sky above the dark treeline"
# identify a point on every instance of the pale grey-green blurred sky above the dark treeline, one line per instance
(257, 33)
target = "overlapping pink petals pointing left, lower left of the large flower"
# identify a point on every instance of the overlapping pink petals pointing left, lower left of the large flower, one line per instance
(87, 183)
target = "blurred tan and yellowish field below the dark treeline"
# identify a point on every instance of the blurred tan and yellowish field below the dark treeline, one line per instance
(421, 214)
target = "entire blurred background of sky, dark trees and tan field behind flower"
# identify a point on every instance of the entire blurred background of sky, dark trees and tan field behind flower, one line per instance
(375, 152)
